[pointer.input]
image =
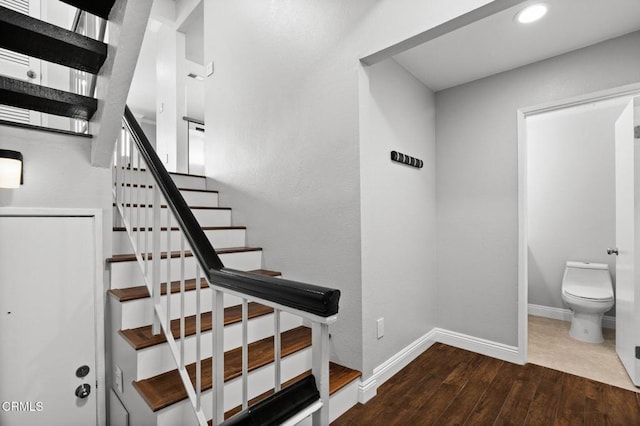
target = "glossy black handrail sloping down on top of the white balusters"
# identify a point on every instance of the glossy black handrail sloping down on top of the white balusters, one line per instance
(321, 301)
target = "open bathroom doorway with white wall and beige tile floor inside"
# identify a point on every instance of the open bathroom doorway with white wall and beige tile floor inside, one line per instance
(567, 212)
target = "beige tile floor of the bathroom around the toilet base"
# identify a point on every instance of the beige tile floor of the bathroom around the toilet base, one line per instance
(550, 346)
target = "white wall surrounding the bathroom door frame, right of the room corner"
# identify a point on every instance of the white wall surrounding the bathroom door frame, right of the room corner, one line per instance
(477, 169)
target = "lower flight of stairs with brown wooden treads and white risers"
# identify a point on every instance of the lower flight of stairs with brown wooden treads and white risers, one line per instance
(151, 388)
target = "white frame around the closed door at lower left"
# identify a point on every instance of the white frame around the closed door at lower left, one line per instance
(99, 288)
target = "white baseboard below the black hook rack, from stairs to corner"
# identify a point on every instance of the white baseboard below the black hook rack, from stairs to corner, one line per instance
(368, 388)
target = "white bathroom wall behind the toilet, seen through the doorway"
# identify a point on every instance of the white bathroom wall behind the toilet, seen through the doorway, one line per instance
(570, 194)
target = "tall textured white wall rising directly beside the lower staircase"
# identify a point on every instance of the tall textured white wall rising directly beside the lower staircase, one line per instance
(283, 131)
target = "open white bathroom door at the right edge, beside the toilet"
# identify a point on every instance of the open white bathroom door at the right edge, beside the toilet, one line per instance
(627, 239)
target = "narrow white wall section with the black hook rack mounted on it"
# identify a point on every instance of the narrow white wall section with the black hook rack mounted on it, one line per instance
(398, 213)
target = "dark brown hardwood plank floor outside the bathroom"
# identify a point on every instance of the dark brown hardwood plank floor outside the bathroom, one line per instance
(450, 386)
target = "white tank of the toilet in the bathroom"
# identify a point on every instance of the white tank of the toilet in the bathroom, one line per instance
(589, 280)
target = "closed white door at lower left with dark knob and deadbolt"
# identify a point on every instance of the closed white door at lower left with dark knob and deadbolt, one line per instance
(47, 321)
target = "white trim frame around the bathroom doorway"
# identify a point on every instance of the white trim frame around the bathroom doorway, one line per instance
(522, 115)
